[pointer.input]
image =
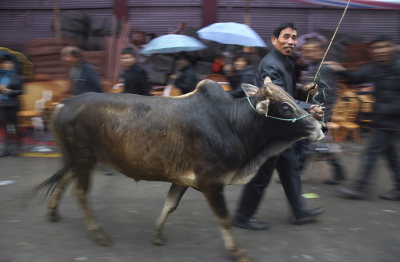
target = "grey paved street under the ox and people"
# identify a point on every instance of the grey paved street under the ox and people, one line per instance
(350, 231)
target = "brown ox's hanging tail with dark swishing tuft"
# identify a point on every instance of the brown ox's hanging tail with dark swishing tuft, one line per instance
(50, 184)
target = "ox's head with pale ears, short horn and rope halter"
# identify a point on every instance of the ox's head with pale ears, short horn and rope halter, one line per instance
(273, 102)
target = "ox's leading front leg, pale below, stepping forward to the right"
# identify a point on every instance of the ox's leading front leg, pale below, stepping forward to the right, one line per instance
(215, 197)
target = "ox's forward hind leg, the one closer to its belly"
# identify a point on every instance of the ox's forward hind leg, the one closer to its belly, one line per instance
(81, 189)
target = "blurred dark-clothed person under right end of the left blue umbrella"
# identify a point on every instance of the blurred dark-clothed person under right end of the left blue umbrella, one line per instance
(185, 77)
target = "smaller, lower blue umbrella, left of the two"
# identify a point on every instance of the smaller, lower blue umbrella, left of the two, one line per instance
(172, 43)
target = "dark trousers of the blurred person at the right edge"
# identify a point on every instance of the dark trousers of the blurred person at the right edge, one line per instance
(382, 142)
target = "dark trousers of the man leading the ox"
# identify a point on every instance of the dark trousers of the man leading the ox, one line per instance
(286, 165)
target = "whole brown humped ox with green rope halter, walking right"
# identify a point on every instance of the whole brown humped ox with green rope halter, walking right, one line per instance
(204, 140)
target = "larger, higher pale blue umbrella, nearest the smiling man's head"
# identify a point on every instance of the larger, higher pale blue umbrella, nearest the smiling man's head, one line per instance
(231, 33)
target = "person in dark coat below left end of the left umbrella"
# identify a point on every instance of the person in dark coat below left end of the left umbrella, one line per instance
(135, 77)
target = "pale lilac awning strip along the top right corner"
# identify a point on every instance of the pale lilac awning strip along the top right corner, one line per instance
(374, 4)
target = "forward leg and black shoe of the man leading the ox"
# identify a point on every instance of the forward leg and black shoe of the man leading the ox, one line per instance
(291, 184)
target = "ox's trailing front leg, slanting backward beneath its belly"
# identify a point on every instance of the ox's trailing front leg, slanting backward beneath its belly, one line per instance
(174, 196)
